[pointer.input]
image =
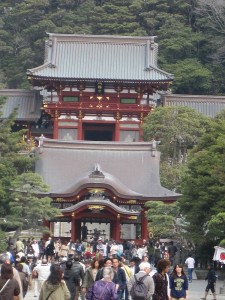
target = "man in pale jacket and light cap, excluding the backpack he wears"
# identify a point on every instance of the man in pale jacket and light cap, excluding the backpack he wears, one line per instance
(145, 269)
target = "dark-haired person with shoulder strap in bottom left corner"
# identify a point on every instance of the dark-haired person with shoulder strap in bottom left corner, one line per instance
(9, 286)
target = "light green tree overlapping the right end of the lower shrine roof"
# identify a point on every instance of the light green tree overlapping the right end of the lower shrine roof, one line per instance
(177, 129)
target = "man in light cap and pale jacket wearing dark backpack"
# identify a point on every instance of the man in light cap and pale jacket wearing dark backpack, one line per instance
(141, 285)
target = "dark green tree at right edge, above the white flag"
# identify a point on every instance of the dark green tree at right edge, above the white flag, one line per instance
(203, 185)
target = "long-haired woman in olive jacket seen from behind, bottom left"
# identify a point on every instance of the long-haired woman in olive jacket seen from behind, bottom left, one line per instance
(54, 288)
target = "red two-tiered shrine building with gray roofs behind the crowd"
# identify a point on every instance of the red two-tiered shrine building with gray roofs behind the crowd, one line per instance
(97, 90)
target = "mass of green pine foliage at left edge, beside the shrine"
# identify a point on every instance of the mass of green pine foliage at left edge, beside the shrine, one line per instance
(22, 203)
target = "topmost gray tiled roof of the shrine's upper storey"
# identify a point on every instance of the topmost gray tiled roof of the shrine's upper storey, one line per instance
(101, 58)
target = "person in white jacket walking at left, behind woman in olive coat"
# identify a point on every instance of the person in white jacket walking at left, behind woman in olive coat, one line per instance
(42, 272)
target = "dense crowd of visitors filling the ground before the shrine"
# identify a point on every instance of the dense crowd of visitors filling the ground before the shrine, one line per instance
(54, 269)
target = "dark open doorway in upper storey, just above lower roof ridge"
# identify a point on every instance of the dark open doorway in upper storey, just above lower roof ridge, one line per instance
(98, 132)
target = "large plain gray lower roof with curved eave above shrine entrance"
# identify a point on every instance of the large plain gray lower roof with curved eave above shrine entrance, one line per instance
(131, 169)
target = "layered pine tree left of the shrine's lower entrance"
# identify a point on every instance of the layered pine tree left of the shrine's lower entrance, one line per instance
(28, 203)
